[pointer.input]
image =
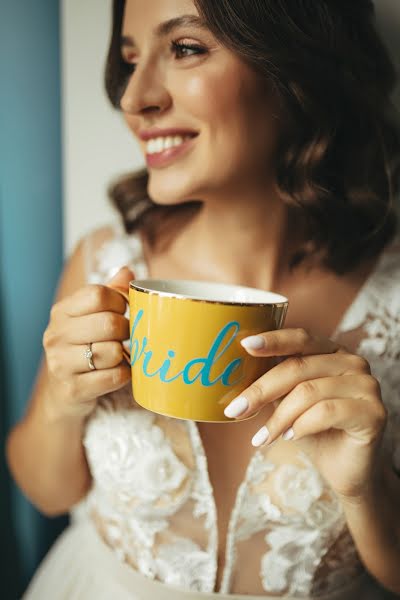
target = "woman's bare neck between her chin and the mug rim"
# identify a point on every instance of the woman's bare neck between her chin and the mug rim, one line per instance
(245, 242)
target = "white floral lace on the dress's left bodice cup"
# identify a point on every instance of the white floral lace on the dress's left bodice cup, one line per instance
(139, 483)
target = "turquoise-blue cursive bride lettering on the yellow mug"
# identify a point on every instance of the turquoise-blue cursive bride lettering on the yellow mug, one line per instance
(219, 346)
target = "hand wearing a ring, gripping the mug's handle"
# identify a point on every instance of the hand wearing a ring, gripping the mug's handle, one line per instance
(93, 314)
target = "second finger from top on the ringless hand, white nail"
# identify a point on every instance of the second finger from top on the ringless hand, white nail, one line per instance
(281, 379)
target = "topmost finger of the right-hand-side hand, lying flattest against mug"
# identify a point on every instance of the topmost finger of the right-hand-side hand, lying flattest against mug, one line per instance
(284, 342)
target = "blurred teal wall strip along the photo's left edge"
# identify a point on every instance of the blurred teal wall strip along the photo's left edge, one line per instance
(30, 246)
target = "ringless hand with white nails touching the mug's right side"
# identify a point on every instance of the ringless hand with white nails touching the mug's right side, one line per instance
(328, 399)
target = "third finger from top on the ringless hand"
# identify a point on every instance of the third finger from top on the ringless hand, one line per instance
(350, 388)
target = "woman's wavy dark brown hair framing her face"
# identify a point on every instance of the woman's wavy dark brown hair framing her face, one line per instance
(338, 155)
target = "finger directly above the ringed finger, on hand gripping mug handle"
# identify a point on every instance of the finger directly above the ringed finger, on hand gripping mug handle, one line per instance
(98, 327)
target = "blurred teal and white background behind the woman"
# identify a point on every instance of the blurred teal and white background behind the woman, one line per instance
(60, 146)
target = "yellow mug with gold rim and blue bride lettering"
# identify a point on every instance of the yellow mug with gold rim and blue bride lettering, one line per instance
(185, 353)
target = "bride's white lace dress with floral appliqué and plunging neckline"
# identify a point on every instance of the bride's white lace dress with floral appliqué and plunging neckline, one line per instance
(148, 527)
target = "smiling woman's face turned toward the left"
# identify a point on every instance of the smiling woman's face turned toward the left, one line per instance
(207, 90)
